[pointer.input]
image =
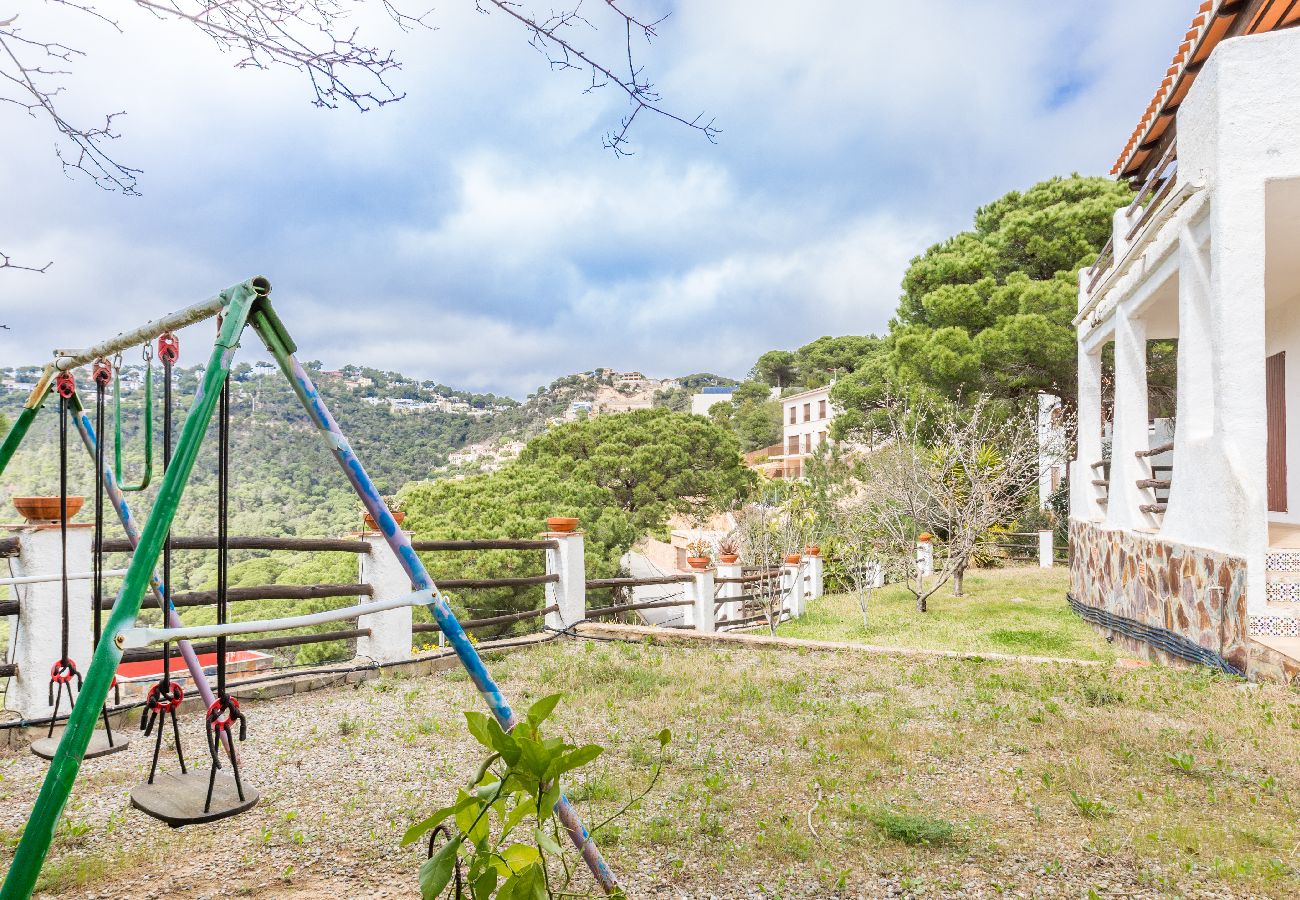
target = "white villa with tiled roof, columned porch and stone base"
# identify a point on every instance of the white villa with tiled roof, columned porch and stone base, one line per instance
(1186, 540)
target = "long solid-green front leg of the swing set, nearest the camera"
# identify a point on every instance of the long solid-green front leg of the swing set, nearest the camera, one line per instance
(81, 724)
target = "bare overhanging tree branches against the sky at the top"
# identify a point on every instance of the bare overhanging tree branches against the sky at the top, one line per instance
(311, 37)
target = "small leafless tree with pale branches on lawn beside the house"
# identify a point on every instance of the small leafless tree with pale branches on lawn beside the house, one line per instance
(955, 471)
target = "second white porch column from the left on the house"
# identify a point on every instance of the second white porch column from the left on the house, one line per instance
(1130, 427)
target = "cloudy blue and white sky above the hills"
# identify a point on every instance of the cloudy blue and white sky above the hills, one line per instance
(479, 235)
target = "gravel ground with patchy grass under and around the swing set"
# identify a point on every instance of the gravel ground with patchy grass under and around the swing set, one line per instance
(775, 761)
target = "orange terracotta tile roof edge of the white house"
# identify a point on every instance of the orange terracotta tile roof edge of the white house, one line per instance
(1215, 21)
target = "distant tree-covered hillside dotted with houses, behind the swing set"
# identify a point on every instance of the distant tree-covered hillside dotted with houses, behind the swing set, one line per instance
(285, 481)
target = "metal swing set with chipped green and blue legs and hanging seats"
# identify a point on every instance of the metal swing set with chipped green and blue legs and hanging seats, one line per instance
(192, 797)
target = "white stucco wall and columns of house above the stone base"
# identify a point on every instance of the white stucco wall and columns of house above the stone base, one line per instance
(1238, 129)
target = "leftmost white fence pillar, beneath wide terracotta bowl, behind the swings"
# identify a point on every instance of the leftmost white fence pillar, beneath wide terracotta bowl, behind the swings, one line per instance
(36, 637)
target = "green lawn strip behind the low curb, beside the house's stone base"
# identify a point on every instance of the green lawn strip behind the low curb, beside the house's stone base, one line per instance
(1004, 611)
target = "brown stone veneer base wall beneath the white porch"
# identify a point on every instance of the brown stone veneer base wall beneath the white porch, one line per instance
(1197, 594)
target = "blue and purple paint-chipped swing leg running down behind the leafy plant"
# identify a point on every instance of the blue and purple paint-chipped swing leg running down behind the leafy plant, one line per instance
(279, 344)
